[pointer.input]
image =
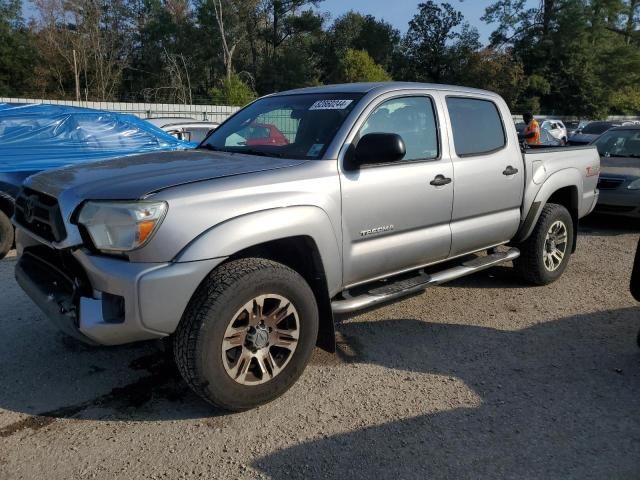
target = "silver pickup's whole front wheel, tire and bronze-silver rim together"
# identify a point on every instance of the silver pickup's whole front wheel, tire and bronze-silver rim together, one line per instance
(247, 334)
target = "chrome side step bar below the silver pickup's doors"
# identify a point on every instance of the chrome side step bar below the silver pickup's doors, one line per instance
(421, 281)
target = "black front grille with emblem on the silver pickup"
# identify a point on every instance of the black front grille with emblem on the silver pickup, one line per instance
(40, 214)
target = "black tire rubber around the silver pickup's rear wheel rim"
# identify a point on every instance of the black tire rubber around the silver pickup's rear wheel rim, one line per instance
(530, 265)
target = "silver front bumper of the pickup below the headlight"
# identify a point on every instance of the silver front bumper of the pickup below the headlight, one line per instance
(109, 301)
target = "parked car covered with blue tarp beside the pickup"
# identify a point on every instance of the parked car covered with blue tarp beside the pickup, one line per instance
(37, 137)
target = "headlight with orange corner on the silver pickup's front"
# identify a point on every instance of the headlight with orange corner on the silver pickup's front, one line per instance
(121, 226)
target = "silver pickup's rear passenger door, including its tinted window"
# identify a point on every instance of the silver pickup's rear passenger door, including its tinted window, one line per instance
(489, 173)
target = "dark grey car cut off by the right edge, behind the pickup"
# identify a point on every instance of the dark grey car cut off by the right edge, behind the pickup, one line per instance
(619, 181)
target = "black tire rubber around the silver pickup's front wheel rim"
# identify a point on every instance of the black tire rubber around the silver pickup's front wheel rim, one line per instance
(198, 340)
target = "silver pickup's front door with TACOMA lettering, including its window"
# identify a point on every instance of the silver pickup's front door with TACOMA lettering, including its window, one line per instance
(393, 217)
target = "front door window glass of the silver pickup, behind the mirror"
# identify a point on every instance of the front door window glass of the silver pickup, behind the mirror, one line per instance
(413, 118)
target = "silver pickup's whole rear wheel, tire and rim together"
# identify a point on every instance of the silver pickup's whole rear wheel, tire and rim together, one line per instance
(545, 254)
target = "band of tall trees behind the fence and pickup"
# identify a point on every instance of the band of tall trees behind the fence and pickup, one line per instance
(579, 57)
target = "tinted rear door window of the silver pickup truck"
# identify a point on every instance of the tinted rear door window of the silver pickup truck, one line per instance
(477, 126)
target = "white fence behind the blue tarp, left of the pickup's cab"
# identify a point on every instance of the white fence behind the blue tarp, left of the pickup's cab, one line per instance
(216, 113)
